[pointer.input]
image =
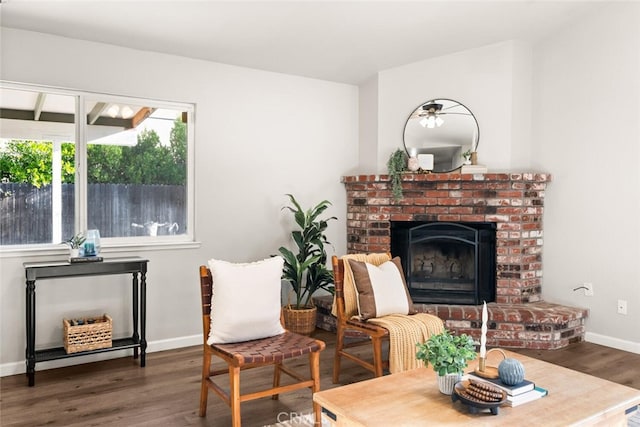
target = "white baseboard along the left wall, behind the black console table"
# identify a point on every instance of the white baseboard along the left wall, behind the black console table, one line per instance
(14, 368)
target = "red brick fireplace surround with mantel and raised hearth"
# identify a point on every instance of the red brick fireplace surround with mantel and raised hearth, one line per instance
(515, 203)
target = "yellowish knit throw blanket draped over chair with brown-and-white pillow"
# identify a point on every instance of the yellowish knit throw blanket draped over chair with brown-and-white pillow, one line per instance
(405, 331)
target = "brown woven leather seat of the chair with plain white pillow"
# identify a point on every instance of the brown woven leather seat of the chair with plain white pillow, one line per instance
(272, 349)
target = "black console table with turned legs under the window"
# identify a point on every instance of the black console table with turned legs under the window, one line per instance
(50, 270)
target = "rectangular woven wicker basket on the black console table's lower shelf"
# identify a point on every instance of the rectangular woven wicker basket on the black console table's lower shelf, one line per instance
(93, 334)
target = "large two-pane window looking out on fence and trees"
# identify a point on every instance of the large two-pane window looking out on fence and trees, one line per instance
(135, 188)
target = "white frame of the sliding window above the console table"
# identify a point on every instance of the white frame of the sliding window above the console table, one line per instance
(113, 244)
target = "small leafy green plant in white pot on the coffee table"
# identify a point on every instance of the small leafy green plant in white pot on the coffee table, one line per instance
(449, 355)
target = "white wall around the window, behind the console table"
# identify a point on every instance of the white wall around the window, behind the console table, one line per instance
(259, 135)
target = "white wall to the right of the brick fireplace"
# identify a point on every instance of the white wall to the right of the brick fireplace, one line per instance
(587, 133)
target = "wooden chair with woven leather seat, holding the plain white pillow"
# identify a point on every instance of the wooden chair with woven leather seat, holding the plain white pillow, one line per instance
(250, 354)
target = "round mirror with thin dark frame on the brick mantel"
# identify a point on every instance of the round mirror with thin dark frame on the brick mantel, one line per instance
(441, 134)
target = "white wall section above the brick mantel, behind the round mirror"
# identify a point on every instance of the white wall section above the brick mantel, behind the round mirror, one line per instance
(482, 79)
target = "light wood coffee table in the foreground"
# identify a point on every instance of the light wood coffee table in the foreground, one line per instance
(412, 399)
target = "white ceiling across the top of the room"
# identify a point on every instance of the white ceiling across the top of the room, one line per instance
(342, 41)
